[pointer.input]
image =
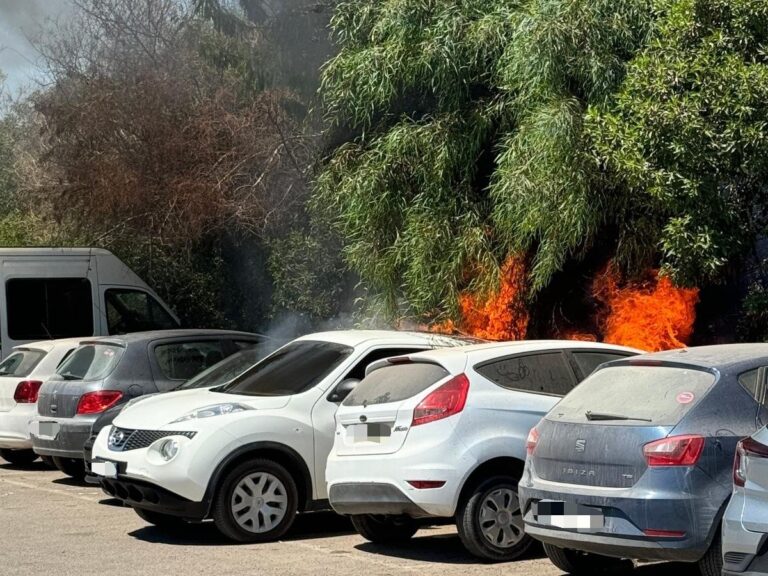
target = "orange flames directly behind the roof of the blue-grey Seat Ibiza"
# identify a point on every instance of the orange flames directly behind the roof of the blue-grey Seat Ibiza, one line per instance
(651, 315)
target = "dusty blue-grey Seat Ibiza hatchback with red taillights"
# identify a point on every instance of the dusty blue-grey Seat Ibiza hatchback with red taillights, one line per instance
(636, 462)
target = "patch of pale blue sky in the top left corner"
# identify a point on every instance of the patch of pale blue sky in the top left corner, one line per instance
(20, 21)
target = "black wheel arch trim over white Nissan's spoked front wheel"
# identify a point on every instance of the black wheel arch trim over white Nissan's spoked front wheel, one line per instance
(279, 453)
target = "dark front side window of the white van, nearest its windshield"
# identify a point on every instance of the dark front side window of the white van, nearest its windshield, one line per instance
(135, 311)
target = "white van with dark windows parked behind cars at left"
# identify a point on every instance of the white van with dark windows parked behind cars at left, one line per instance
(52, 293)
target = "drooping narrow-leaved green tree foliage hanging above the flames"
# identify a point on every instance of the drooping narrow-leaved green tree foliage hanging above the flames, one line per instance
(468, 140)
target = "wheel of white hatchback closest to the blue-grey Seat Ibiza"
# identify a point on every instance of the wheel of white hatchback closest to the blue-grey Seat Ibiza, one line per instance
(490, 522)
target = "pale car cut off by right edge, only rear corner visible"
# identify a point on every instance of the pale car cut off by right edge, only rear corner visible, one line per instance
(745, 524)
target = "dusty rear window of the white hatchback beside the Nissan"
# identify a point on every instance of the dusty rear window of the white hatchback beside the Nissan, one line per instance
(395, 383)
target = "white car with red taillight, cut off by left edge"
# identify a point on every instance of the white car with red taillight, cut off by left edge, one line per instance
(22, 374)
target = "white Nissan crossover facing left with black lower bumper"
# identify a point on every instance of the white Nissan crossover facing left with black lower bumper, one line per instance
(251, 453)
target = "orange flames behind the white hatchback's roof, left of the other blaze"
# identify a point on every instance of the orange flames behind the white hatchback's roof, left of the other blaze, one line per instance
(503, 316)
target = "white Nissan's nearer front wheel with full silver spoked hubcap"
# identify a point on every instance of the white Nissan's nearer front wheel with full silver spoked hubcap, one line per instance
(256, 483)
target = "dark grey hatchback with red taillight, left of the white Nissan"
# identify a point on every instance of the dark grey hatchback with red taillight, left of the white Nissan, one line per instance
(103, 372)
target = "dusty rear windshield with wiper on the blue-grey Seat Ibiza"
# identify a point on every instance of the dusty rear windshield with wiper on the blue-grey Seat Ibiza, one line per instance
(635, 395)
